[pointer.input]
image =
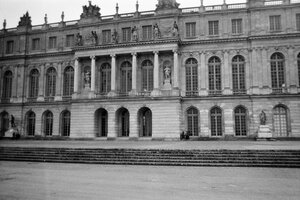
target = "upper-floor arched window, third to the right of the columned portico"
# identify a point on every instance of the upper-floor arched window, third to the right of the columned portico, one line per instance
(238, 75)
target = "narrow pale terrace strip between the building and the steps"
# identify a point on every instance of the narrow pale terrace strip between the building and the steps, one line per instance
(185, 145)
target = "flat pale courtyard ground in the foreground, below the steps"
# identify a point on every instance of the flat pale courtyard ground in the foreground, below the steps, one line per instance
(36, 181)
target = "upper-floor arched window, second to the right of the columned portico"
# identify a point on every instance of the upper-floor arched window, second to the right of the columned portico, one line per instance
(214, 76)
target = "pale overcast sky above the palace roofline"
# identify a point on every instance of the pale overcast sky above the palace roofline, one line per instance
(12, 10)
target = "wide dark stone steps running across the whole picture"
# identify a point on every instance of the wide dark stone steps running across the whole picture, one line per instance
(224, 158)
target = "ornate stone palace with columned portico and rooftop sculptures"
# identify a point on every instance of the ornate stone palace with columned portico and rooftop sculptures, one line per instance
(207, 70)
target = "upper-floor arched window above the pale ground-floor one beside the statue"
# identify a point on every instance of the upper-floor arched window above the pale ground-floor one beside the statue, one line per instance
(277, 72)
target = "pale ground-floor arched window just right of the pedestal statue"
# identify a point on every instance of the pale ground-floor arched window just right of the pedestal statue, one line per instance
(280, 121)
